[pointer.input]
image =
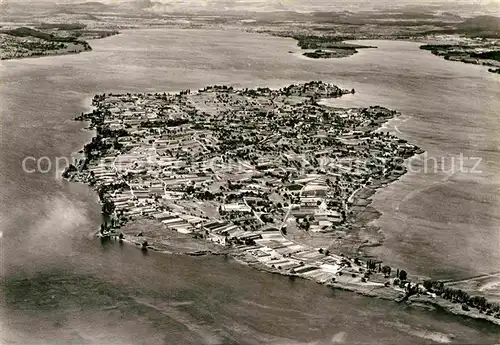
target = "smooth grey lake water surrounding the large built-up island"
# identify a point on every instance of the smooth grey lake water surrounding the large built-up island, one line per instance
(62, 285)
